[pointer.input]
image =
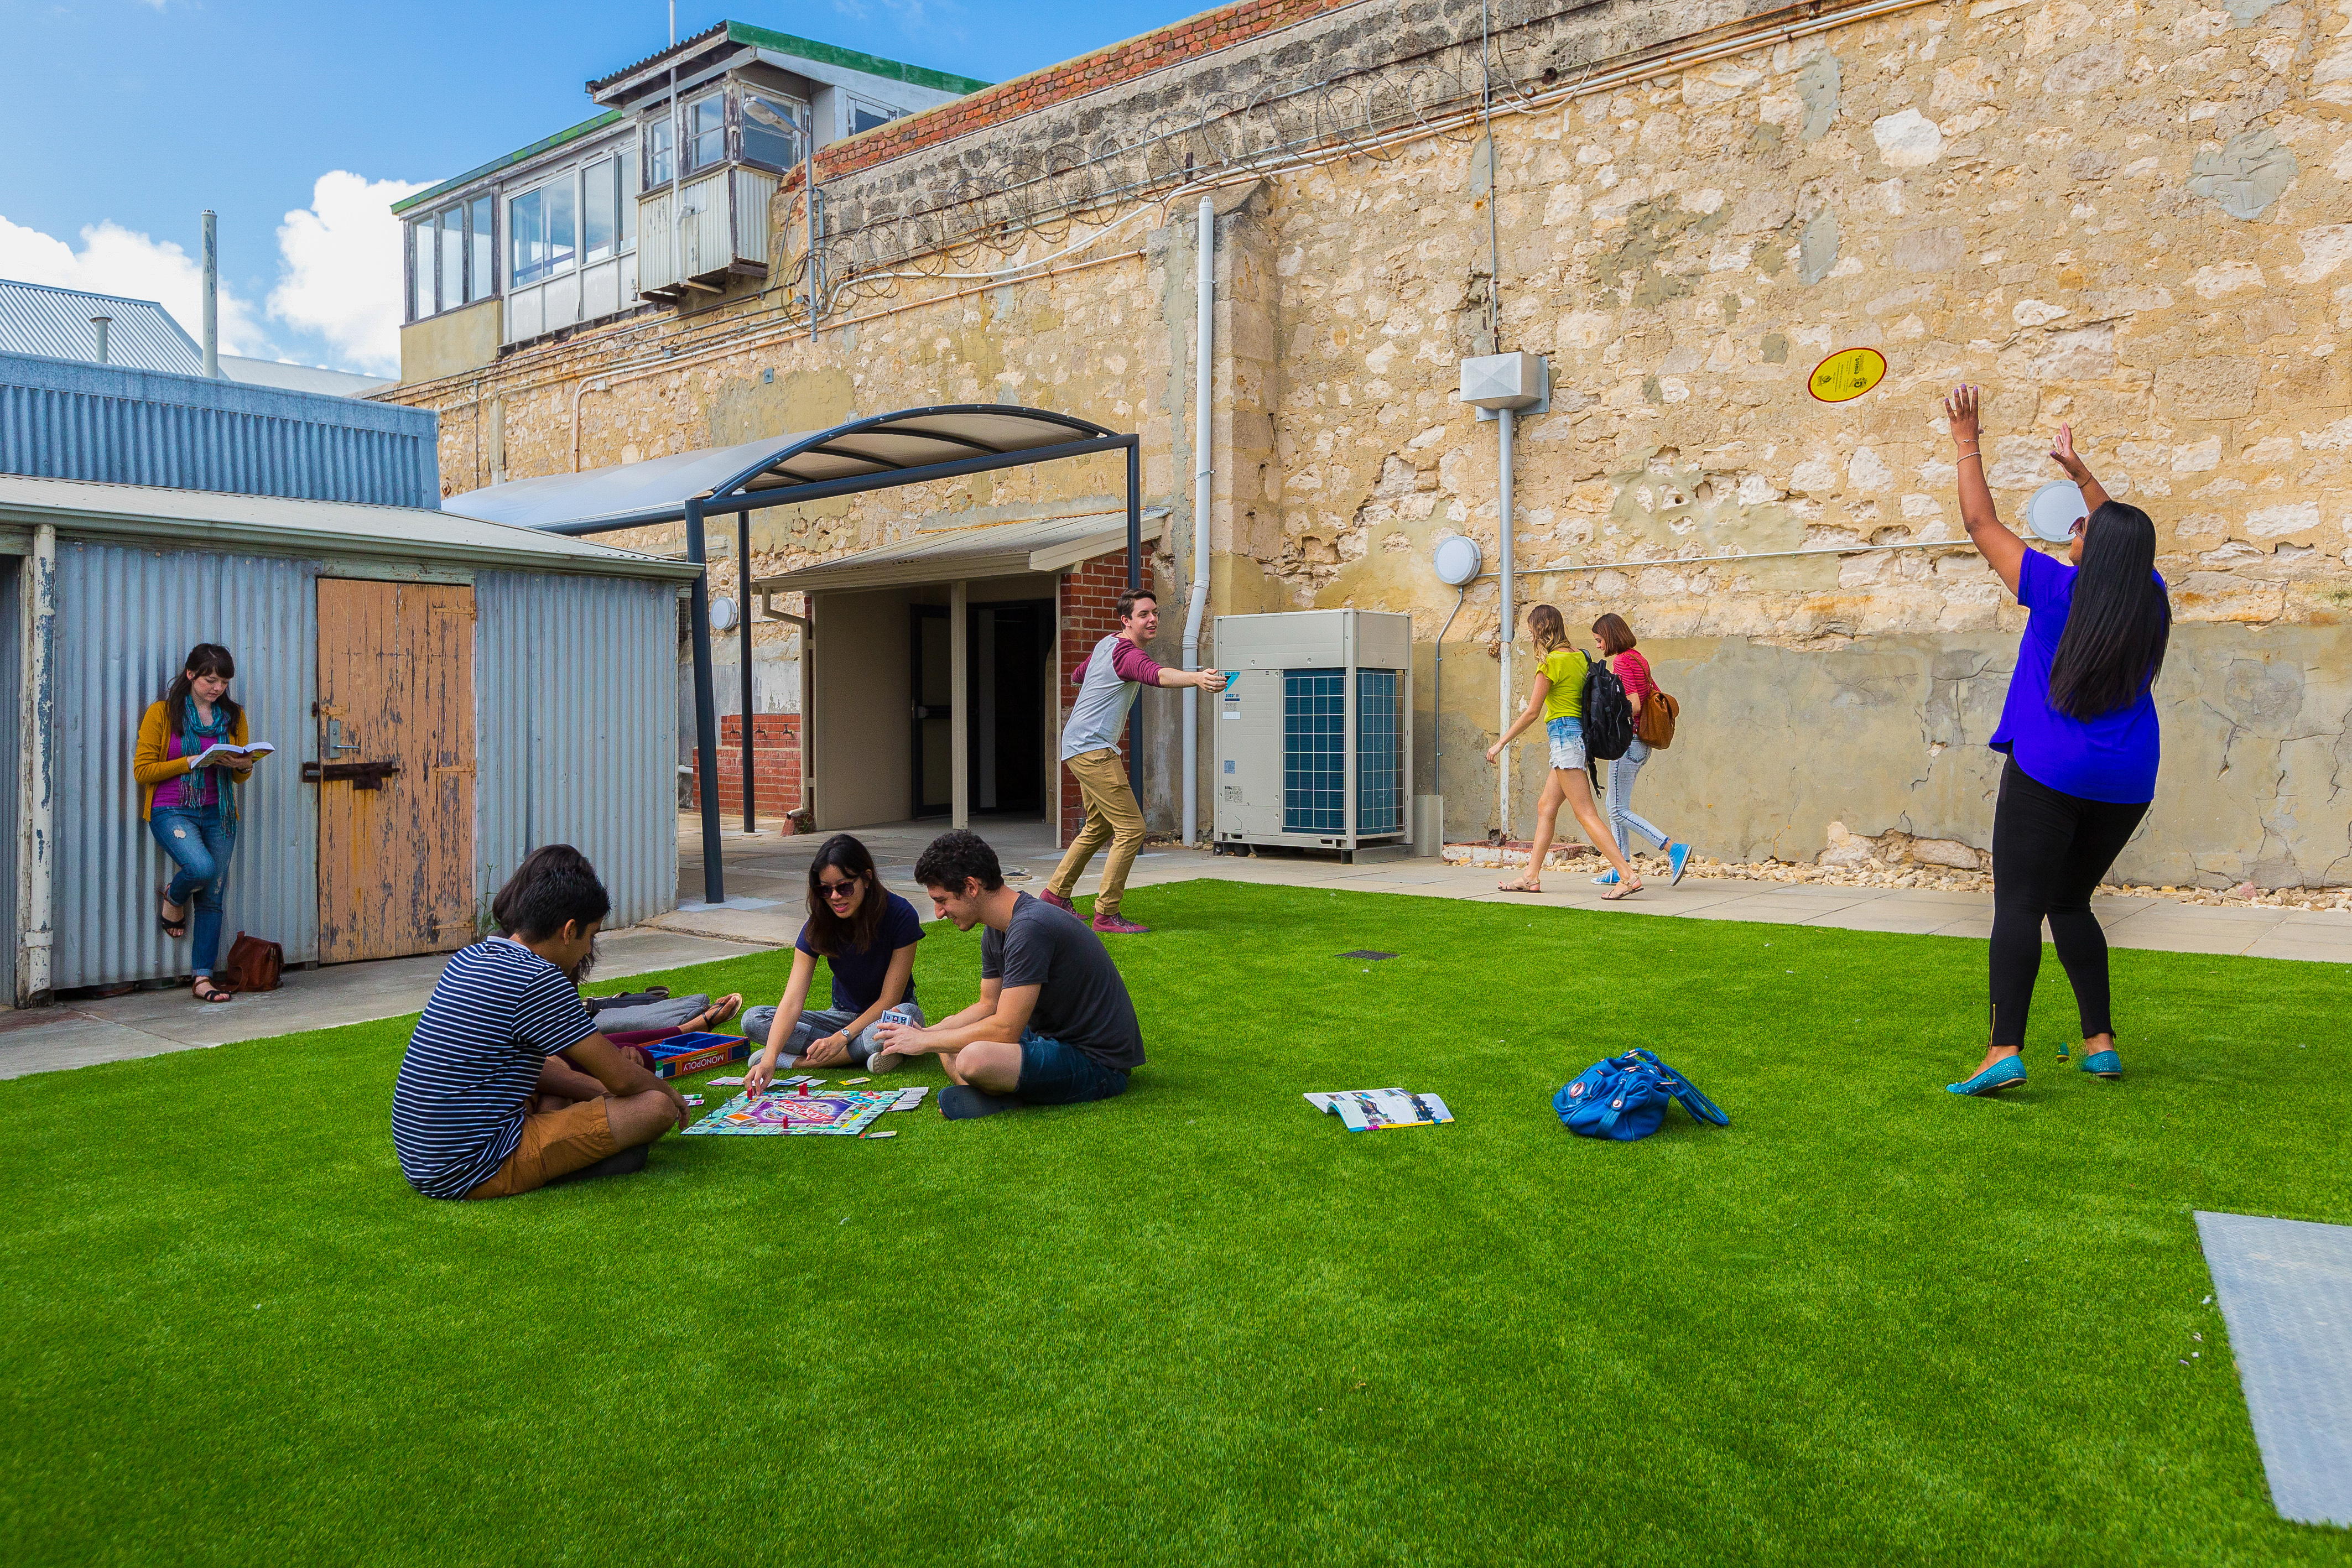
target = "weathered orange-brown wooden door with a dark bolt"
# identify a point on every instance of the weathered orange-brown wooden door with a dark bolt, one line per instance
(396, 770)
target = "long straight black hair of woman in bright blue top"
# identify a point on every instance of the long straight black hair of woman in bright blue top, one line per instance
(2120, 622)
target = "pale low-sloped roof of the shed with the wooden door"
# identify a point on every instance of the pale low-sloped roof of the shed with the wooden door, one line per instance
(281, 525)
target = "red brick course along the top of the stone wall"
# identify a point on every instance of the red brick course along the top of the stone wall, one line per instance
(1076, 79)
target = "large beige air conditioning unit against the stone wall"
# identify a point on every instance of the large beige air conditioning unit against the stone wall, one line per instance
(1314, 730)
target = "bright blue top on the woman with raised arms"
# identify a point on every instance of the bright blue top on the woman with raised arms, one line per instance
(2111, 758)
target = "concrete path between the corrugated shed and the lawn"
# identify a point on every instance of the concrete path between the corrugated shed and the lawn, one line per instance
(149, 1024)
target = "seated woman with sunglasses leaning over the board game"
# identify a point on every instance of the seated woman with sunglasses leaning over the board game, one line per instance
(869, 937)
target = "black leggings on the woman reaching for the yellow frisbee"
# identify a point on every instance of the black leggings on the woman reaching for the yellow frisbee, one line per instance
(2050, 852)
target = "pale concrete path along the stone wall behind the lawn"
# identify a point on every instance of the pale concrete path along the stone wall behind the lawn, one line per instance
(775, 871)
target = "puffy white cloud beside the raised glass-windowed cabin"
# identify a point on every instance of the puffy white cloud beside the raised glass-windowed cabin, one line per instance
(340, 269)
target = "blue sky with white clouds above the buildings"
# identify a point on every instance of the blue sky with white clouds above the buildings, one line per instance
(140, 114)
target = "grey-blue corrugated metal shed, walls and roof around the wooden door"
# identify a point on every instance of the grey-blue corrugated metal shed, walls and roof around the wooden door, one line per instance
(575, 704)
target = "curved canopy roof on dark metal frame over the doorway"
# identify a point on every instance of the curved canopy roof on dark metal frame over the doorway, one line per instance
(904, 448)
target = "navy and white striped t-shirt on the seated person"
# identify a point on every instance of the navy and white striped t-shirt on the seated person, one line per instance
(495, 1017)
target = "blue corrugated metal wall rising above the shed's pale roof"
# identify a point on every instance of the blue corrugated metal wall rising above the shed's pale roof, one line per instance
(131, 427)
